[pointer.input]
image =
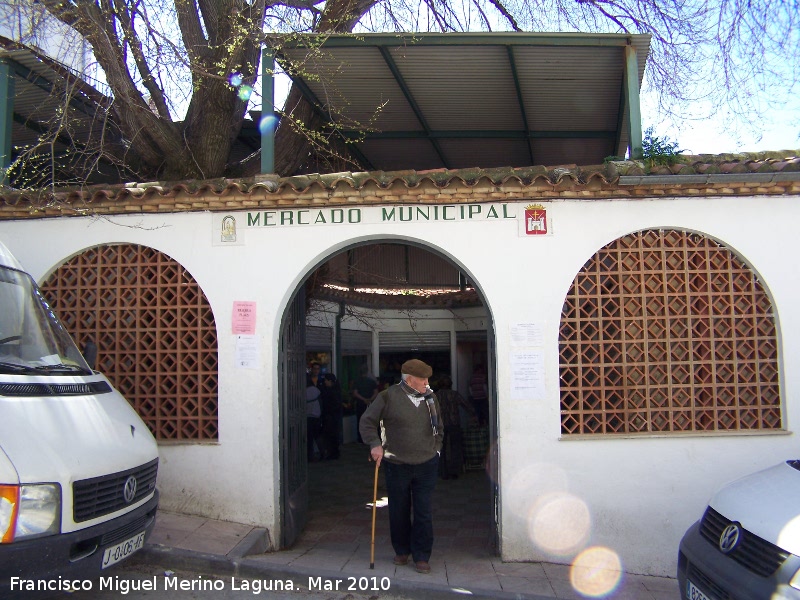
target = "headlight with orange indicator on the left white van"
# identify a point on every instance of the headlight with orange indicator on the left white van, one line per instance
(28, 511)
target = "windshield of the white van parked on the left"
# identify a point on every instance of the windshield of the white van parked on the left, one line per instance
(32, 339)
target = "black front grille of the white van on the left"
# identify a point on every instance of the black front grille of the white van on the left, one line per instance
(100, 496)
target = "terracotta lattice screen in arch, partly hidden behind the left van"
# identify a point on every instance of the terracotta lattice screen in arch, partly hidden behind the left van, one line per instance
(155, 333)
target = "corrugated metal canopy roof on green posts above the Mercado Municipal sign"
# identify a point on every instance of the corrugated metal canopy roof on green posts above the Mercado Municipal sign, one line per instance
(428, 101)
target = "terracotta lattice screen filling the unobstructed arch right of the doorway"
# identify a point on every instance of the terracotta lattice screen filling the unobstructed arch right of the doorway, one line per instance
(667, 331)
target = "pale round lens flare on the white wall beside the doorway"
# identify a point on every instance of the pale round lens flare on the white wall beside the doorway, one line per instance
(559, 524)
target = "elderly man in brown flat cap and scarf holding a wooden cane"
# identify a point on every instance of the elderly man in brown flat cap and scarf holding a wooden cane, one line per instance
(402, 426)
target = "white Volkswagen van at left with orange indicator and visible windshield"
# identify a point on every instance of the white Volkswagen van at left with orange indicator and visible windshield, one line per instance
(77, 465)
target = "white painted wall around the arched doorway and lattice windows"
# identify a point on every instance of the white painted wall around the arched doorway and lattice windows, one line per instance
(635, 495)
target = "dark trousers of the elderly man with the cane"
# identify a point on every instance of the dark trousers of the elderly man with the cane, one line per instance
(410, 488)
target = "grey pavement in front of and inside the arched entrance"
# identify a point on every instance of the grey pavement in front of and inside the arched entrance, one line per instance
(336, 546)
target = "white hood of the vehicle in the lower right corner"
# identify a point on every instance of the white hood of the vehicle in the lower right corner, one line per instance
(765, 503)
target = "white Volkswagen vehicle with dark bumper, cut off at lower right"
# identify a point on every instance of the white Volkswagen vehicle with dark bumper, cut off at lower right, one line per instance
(747, 544)
